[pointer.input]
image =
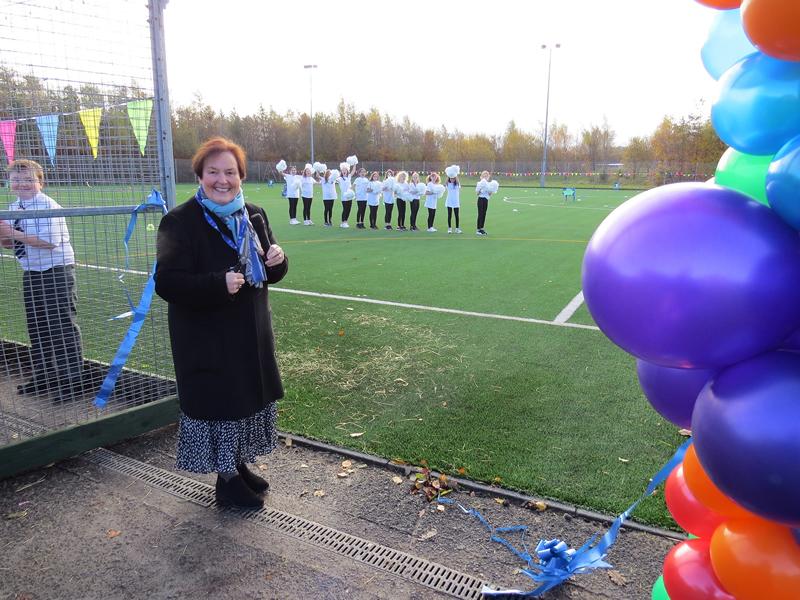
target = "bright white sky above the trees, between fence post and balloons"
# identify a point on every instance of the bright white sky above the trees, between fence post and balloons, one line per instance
(468, 65)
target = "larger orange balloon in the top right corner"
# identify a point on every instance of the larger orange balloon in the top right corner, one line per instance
(773, 26)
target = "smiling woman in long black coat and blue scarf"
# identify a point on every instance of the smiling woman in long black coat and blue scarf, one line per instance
(216, 257)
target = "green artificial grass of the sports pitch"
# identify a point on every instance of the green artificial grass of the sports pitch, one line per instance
(547, 410)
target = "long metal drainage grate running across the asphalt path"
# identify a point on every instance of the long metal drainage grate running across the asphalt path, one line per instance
(409, 567)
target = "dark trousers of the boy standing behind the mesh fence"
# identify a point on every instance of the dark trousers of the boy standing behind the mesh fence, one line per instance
(50, 299)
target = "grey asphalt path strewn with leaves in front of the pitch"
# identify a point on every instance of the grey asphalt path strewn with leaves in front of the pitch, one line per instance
(79, 530)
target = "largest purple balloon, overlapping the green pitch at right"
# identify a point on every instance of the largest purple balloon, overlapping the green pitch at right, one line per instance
(693, 275)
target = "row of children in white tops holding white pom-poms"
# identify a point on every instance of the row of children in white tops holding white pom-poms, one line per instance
(398, 189)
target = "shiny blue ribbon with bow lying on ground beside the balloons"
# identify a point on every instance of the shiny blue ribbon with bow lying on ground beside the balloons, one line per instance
(553, 562)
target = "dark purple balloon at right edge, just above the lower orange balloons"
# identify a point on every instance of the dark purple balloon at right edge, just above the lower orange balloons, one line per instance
(746, 428)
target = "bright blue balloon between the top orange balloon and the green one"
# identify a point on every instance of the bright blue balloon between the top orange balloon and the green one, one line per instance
(757, 109)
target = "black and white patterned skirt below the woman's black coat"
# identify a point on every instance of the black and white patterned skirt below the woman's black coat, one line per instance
(219, 446)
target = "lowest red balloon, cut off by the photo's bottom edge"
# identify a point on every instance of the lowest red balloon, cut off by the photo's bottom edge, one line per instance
(688, 574)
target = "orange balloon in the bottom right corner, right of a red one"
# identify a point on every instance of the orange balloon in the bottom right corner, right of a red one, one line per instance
(757, 559)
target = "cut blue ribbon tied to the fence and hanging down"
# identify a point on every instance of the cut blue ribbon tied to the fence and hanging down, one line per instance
(139, 312)
